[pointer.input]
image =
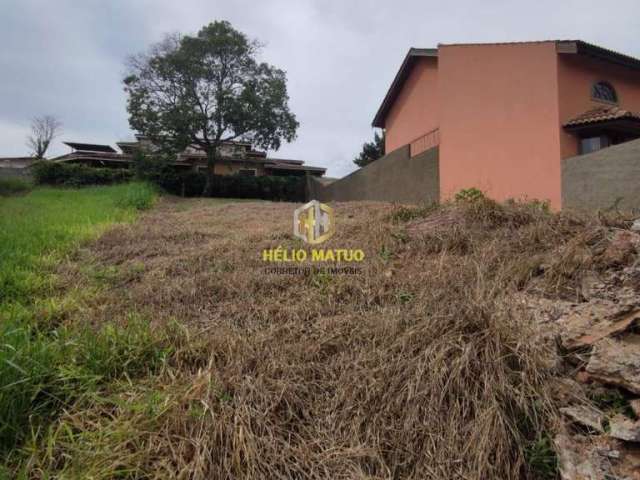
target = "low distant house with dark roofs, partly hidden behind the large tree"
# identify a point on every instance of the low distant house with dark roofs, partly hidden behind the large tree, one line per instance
(236, 158)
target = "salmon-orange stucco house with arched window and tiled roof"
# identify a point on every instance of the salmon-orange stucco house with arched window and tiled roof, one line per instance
(505, 115)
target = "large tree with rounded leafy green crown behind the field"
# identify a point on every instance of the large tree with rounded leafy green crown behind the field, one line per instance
(208, 89)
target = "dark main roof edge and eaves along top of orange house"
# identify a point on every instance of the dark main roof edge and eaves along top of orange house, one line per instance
(578, 47)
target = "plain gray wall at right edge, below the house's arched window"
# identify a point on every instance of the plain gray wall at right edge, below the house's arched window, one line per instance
(597, 180)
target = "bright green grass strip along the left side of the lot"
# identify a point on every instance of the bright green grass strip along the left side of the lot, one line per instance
(44, 363)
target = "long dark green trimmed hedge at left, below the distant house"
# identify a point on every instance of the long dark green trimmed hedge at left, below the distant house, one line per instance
(50, 173)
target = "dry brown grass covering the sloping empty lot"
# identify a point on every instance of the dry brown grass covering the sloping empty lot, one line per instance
(424, 366)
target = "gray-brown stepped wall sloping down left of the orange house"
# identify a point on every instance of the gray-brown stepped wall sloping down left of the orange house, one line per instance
(392, 178)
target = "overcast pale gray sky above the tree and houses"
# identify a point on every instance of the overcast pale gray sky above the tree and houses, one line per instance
(67, 57)
